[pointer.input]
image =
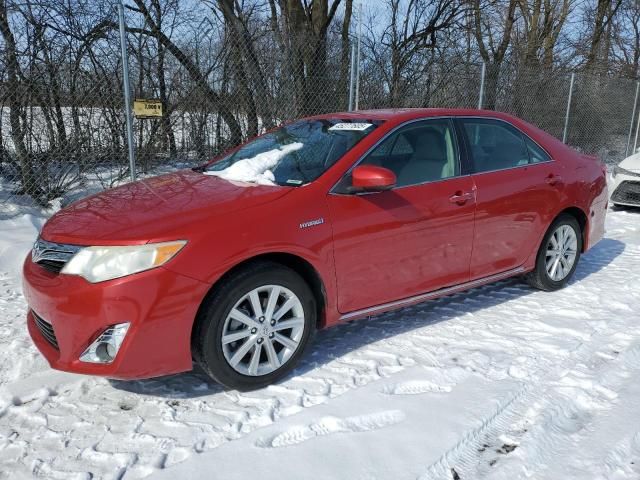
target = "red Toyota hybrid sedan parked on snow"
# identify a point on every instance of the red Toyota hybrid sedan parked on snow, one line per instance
(235, 264)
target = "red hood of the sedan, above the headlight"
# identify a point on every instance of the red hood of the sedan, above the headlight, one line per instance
(163, 207)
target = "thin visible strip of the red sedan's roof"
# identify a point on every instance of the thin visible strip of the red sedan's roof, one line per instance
(404, 114)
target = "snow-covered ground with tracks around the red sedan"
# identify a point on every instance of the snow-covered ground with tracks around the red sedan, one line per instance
(501, 382)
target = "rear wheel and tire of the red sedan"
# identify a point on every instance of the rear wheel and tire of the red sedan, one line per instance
(558, 255)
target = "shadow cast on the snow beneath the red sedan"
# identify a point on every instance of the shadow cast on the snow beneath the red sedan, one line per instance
(333, 343)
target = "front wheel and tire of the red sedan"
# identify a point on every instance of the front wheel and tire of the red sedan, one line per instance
(254, 328)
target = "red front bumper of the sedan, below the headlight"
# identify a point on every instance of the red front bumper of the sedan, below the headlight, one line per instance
(160, 305)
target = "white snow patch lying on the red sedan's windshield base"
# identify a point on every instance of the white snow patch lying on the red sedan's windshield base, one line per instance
(256, 169)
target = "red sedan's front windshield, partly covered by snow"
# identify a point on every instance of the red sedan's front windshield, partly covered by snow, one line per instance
(294, 154)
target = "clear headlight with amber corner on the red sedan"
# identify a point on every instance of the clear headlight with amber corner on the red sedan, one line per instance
(97, 264)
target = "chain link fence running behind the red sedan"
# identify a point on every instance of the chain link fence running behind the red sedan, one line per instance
(63, 123)
